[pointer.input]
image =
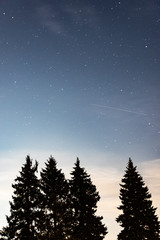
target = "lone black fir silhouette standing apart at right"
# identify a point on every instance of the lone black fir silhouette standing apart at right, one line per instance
(138, 219)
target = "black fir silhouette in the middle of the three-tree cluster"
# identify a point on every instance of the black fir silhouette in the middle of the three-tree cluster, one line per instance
(56, 203)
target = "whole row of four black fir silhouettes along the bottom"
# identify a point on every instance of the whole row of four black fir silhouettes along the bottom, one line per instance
(52, 207)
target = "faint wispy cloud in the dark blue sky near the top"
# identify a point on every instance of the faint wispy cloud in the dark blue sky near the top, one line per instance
(74, 14)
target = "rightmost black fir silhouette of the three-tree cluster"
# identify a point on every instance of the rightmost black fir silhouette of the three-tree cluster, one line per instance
(87, 225)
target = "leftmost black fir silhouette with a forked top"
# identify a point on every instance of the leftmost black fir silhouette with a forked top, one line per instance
(24, 221)
